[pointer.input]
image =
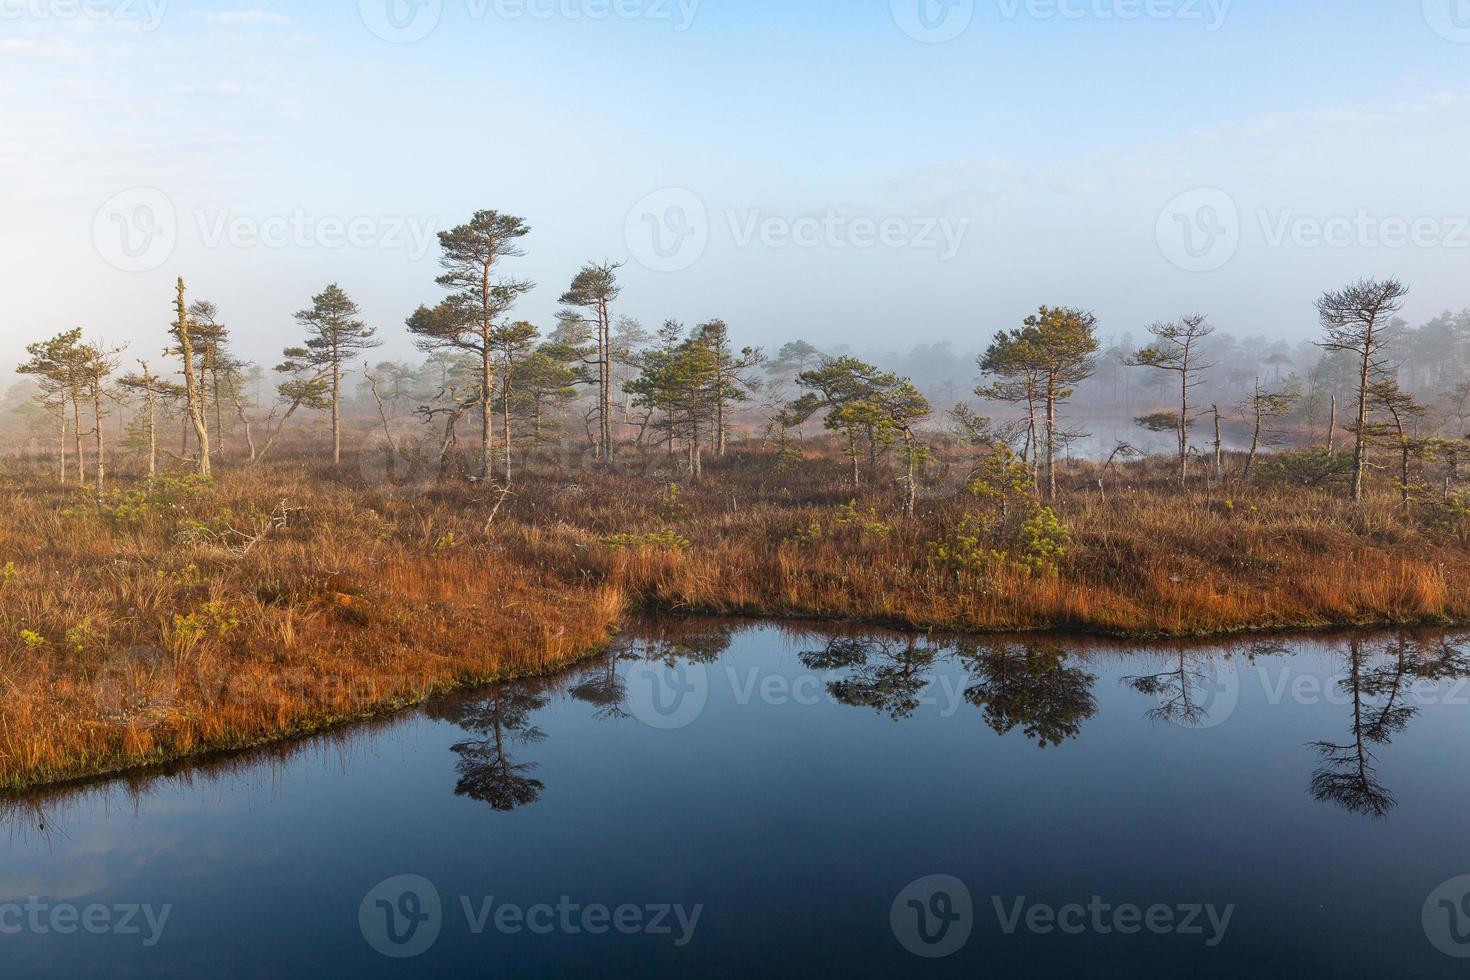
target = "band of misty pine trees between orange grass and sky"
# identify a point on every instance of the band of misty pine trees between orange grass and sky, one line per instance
(505, 387)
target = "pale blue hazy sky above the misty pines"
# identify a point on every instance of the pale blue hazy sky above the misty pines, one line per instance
(874, 174)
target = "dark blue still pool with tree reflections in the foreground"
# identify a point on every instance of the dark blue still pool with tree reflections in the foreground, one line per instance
(733, 800)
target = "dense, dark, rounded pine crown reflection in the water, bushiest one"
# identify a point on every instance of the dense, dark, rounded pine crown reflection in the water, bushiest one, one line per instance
(1033, 688)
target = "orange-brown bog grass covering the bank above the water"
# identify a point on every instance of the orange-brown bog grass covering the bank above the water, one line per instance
(154, 634)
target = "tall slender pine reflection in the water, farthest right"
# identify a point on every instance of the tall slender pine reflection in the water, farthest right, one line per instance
(1381, 691)
